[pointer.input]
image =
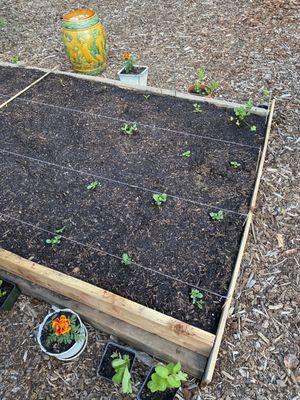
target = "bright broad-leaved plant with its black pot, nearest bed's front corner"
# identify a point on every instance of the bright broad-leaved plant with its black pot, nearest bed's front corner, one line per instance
(162, 382)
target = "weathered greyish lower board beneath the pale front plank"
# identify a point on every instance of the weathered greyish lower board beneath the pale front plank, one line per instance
(192, 362)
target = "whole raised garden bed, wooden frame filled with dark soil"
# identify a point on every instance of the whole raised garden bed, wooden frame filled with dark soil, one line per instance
(63, 133)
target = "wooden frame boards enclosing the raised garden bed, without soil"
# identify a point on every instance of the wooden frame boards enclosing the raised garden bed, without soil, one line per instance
(146, 329)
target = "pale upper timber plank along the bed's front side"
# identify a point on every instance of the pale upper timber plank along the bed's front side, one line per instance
(133, 313)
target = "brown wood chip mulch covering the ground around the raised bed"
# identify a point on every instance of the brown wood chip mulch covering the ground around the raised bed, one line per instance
(258, 48)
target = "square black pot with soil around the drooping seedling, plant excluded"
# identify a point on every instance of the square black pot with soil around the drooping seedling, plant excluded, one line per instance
(105, 370)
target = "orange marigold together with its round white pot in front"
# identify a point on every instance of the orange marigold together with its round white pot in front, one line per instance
(62, 335)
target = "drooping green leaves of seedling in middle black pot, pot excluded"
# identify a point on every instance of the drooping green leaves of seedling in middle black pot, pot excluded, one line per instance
(121, 365)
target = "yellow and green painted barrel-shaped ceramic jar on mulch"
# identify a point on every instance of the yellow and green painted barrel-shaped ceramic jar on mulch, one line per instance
(85, 41)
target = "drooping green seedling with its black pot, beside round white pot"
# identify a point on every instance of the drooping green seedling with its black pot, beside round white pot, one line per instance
(116, 365)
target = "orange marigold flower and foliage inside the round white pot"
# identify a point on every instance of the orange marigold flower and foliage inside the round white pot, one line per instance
(64, 330)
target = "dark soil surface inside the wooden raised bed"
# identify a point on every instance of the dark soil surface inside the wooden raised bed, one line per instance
(175, 247)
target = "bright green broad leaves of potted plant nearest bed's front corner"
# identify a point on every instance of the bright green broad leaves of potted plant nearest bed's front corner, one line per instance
(166, 377)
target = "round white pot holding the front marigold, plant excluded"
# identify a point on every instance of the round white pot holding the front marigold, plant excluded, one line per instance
(73, 351)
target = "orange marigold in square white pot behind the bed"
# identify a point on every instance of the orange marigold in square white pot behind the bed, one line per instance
(131, 72)
